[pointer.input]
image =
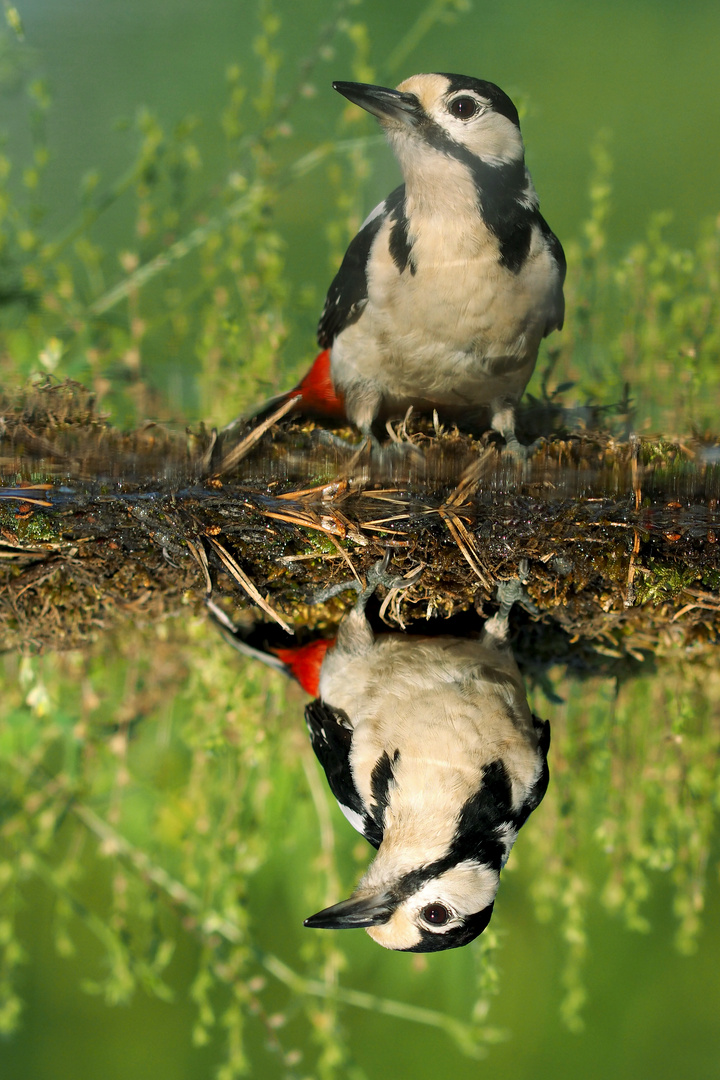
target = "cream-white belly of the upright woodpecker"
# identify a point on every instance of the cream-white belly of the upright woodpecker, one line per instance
(457, 334)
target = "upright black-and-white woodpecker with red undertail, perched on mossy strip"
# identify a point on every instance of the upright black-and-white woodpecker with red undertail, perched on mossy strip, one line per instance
(445, 294)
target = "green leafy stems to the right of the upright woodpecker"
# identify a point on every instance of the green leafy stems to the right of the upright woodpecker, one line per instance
(642, 323)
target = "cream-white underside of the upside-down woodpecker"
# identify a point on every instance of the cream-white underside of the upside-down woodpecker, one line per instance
(450, 706)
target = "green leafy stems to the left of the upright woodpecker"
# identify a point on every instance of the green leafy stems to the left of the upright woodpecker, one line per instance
(200, 292)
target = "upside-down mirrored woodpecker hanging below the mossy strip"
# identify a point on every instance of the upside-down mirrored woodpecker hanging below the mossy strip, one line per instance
(434, 757)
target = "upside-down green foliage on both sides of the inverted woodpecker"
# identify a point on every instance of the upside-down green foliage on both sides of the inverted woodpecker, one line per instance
(152, 815)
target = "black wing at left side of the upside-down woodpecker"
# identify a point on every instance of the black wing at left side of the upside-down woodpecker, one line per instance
(332, 737)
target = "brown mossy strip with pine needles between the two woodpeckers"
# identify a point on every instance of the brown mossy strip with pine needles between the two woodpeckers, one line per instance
(101, 528)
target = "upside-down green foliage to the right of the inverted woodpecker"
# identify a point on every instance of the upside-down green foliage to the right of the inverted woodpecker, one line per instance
(634, 801)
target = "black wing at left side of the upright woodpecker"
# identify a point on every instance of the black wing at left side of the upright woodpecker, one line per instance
(348, 293)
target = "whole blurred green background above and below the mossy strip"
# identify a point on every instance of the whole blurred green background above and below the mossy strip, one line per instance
(604, 953)
